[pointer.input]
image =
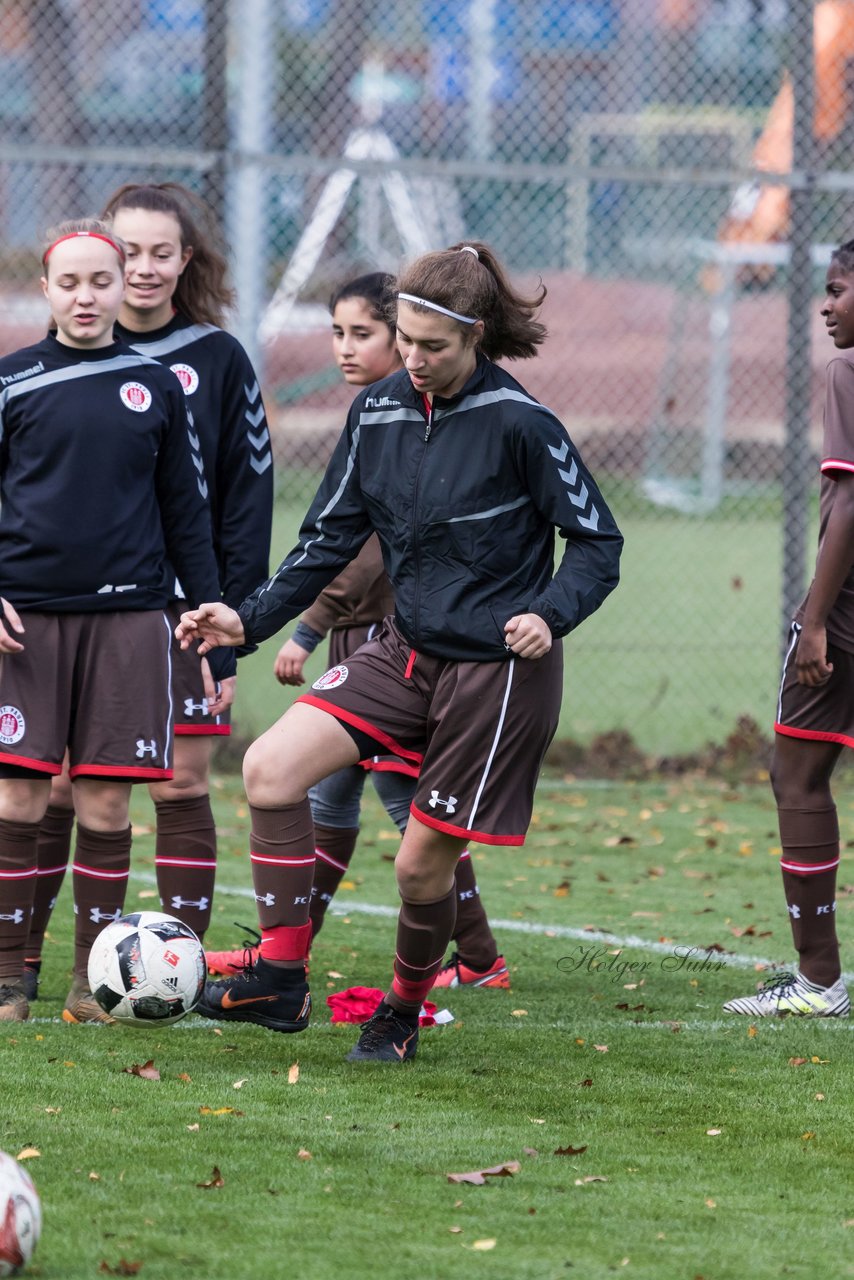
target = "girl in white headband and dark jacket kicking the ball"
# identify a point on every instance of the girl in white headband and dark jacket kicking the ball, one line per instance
(465, 478)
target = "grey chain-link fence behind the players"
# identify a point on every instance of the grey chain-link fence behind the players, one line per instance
(655, 162)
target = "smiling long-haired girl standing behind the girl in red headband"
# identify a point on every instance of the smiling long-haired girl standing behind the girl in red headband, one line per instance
(173, 310)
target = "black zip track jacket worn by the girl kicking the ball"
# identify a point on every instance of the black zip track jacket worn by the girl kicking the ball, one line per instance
(465, 502)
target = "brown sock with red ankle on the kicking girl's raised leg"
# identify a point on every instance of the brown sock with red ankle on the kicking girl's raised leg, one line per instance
(282, 845)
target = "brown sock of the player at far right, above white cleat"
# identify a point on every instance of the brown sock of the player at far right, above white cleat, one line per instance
(810, 860)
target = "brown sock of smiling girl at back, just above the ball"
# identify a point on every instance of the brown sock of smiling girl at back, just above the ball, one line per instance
(186, 860)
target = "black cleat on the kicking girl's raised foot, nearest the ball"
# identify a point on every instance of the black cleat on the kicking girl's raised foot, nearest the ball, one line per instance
(259, 995)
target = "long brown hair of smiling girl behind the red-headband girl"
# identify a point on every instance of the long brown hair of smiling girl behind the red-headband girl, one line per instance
(203, 294)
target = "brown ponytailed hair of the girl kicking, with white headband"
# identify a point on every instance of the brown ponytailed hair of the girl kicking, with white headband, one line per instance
(469, 280)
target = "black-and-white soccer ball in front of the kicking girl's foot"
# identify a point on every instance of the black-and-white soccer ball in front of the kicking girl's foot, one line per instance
(147, 968)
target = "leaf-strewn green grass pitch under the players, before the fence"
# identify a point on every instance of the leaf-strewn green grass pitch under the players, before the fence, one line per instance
(655, 1136)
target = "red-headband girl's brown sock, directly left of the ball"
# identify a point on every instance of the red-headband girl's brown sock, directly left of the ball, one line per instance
(101, 879)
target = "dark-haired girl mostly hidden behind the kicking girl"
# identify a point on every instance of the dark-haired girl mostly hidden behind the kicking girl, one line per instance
(353, 610)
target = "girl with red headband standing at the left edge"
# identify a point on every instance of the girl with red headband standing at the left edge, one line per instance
(101, 490)
